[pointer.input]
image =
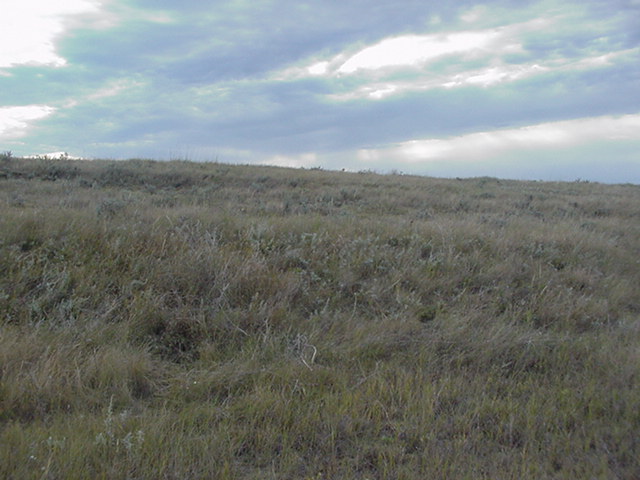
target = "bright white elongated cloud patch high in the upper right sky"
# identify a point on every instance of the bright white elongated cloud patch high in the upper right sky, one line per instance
(484, 58)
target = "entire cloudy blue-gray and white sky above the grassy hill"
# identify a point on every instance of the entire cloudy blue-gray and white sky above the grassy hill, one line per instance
(545, 89)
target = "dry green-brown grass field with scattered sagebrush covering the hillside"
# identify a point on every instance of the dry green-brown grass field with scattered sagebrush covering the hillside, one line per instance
(185, 320)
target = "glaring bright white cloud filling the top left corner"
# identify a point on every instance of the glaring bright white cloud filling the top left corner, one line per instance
(28, 29)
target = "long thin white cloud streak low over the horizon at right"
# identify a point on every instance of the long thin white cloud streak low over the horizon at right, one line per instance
(483, 145)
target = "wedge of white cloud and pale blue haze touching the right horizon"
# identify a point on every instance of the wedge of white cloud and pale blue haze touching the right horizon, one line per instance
(599, 148)
